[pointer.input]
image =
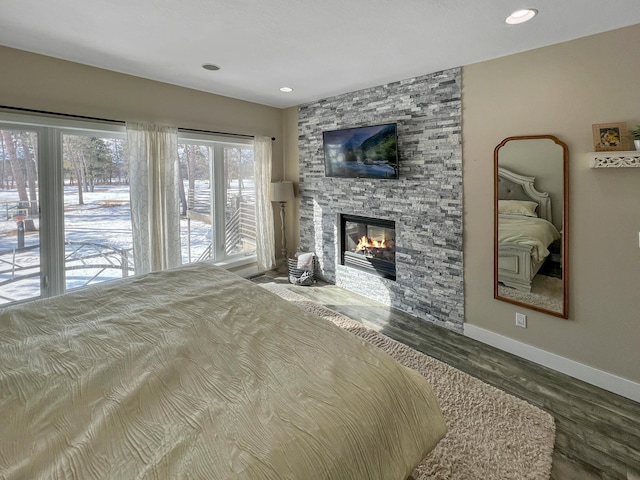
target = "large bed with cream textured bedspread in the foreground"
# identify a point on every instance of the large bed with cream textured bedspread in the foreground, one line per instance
(197, 373)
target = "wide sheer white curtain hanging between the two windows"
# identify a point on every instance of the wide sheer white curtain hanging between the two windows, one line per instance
(154, 177)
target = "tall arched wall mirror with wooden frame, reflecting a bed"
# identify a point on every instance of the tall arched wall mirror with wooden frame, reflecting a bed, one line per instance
(530, 223)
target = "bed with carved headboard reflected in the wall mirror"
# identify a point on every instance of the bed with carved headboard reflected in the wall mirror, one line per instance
(524, 231)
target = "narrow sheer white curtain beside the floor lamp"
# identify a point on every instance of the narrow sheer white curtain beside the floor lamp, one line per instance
(265, 248)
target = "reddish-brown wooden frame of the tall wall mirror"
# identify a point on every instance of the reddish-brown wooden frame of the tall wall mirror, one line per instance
(564, 313)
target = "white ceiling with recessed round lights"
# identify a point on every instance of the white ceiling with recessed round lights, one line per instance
(320, 48)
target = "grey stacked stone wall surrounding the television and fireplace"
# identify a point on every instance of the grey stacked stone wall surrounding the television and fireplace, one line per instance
(425, 203)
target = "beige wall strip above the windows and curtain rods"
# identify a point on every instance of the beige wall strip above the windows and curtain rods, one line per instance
(44, 83)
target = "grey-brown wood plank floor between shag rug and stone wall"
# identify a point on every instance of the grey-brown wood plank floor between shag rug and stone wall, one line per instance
(597, 432)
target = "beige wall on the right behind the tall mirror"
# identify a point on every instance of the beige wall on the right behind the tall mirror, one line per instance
(562, 90)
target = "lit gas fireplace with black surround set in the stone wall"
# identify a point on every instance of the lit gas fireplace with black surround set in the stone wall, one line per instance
(368, 244)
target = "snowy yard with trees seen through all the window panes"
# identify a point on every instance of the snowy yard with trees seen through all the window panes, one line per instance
(97, 216)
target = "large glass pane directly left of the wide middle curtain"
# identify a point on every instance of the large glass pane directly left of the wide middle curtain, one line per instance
(97, 210)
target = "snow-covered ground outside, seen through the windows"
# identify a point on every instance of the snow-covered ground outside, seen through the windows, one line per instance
(104, 219)
